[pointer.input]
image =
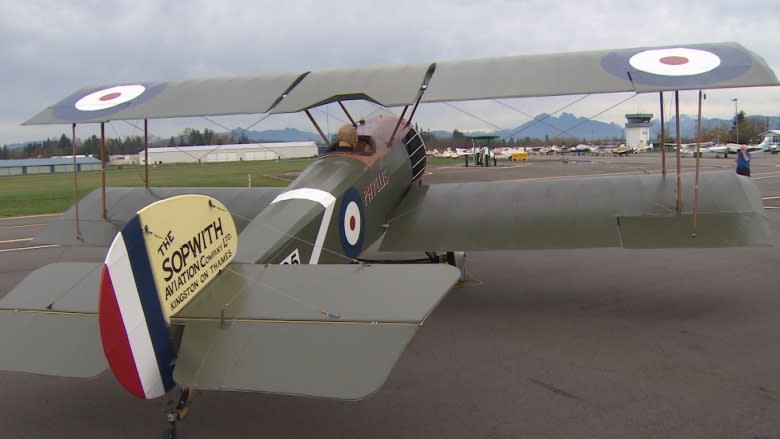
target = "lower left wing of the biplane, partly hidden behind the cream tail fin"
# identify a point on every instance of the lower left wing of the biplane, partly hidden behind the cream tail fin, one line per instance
(122, 203)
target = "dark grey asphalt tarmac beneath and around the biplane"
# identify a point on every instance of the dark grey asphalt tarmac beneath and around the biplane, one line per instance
(537, 344)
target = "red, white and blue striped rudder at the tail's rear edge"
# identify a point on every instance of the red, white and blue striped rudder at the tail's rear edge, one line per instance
(133, 330)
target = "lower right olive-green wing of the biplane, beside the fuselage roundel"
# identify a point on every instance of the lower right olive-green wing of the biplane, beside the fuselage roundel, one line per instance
(631, 211)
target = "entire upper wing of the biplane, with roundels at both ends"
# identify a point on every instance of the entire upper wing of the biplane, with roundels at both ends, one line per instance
(643, 69)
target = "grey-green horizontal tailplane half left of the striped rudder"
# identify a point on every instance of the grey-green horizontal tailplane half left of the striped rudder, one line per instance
(48, 323)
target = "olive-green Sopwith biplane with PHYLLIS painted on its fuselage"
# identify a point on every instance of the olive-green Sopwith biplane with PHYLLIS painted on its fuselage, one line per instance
(265, 289)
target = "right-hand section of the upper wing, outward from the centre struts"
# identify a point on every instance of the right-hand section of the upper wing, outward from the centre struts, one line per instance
(641, 70)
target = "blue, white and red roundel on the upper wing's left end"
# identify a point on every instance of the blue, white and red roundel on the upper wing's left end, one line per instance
(101, 102)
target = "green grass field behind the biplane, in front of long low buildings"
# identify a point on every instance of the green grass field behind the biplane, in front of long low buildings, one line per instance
(51, 193)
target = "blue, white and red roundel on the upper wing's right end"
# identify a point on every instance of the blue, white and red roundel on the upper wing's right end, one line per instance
(673, 67)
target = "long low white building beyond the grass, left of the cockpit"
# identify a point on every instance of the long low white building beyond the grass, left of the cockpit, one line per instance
(230, 153)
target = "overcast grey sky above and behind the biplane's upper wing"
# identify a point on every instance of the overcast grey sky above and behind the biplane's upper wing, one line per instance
(52, 48)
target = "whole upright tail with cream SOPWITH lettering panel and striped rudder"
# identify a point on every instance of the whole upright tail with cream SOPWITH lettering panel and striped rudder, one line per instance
(160, 260)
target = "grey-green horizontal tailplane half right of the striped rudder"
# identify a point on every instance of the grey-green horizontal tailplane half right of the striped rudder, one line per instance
(316, 330)
